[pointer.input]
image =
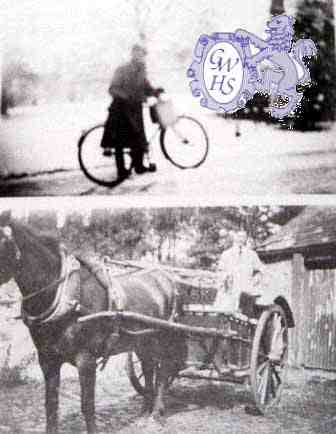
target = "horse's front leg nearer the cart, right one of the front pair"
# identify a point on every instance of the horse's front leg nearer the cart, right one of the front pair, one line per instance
(86, 365)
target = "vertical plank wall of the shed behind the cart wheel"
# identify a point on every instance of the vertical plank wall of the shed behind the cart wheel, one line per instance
(311, 294)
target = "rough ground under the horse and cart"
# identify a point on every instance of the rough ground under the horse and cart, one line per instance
(308, 406)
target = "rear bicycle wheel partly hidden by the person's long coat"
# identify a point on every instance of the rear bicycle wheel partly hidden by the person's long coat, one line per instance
(96, 166)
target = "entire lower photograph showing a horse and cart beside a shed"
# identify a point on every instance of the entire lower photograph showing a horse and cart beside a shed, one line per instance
(167, 320)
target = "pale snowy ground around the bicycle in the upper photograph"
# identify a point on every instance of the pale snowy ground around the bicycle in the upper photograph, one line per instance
(263, 160)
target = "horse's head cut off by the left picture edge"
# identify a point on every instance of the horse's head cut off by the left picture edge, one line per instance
(10, 254)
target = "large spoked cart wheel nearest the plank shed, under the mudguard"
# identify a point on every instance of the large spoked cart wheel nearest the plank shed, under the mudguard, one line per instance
(269, 358)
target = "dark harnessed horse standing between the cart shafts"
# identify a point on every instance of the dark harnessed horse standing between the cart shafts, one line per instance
(58, 288)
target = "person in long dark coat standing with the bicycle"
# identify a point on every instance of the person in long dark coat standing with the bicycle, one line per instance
(124, 126)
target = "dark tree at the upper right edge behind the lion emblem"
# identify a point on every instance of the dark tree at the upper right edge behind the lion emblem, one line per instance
(315, 20)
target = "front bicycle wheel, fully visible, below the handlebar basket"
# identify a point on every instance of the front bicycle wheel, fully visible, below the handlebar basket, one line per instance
(186, 143)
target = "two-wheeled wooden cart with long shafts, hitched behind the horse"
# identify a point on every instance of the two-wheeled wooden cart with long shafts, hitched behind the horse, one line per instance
(247, 347)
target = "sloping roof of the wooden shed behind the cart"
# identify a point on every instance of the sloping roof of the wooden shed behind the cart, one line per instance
(314, 227)
